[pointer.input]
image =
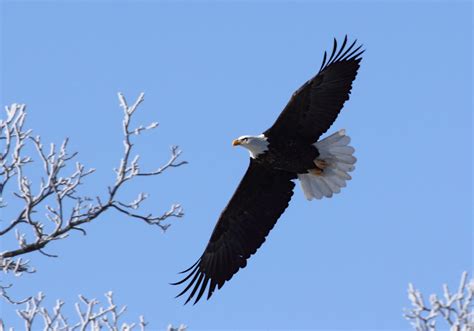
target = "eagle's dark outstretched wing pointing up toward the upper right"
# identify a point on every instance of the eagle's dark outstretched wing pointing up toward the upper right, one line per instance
(314, 106)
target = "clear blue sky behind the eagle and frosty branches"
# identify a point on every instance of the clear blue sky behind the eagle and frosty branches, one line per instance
(213, 71)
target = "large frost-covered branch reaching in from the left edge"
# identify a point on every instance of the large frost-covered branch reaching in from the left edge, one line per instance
(65, 209)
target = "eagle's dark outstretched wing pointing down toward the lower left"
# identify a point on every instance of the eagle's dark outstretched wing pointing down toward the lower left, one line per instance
(261, 197)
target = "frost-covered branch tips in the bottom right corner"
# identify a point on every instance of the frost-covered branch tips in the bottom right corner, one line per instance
(456, 309)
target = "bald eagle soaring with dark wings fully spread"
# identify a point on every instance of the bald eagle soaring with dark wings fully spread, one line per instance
(289, 150)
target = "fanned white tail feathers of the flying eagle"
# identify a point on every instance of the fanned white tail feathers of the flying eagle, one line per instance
(337, 160)
